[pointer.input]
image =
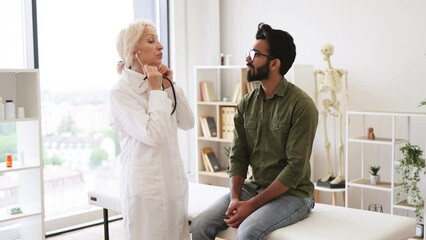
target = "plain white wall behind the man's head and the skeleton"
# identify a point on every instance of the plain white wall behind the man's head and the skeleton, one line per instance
(382, 43)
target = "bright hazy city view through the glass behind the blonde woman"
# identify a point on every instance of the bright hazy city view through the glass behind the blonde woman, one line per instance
(77, 69)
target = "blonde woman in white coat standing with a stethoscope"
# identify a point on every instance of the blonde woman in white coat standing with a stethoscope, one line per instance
(146, 111)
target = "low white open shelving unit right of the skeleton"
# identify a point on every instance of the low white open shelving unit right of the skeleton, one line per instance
(392, 131)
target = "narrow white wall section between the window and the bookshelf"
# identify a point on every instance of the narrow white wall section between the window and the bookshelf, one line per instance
(195, 40)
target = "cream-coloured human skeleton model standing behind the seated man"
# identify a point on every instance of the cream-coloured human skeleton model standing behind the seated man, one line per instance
(333, 85)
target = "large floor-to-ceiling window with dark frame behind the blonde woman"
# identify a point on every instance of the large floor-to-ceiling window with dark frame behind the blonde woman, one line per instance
(77, 61)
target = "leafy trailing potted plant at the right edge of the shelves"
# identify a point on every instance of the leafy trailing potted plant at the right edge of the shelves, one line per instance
(411, 168)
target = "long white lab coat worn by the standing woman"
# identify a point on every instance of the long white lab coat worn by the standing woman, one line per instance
(154, 187)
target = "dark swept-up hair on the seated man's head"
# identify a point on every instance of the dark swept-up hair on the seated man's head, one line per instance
(280, 43)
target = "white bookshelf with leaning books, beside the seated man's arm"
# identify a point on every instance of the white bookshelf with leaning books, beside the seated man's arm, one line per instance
(224, 80)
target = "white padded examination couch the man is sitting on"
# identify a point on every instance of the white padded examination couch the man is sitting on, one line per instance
(324, 222)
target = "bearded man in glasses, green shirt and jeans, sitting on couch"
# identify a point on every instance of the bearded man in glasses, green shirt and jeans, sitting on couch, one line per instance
(275, 127)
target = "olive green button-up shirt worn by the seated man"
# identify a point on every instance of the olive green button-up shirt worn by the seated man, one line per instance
(275, 137)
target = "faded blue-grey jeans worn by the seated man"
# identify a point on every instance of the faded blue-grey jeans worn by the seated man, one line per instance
(278, 213)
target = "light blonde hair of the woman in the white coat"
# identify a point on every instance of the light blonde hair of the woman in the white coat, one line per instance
(127, 40)
